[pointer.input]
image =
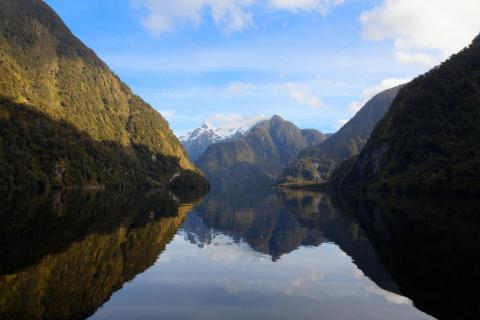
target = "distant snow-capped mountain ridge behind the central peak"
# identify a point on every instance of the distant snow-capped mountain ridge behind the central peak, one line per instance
(197, 141)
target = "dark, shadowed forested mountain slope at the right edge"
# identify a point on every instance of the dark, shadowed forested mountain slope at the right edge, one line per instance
(428, 141)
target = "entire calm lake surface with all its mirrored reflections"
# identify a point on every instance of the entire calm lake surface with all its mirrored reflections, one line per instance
(242, 254)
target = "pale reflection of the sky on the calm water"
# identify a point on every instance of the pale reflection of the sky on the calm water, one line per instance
(224, 280)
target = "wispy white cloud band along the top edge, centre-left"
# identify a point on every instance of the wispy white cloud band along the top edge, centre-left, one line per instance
(229, 15)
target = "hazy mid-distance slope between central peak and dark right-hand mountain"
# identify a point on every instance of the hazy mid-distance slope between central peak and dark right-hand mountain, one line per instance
(317, 163)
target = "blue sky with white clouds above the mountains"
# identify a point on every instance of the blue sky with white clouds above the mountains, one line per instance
(313, 62)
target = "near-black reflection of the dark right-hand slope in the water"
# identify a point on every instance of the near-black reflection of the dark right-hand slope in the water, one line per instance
(429, 246)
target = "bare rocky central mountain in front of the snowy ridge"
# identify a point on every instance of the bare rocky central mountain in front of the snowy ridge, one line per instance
(259, 156)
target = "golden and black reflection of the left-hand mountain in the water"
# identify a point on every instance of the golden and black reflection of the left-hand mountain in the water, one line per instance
(103, 241)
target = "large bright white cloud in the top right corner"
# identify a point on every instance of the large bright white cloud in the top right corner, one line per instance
(424, 32)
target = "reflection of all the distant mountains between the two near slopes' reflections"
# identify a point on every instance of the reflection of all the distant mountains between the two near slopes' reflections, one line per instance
(278, 222)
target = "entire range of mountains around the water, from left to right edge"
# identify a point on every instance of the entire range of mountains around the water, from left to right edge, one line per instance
(67, 121)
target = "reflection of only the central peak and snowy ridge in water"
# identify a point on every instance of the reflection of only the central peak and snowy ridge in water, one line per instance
(257, 217)
